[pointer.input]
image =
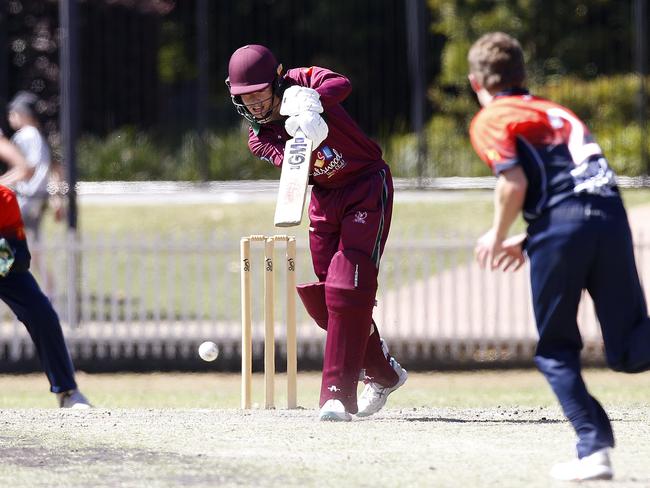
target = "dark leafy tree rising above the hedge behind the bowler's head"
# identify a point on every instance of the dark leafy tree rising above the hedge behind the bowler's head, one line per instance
(576, 37)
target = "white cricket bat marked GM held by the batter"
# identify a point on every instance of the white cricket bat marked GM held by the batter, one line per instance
(293, 181)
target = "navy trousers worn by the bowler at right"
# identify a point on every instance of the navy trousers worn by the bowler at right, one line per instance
(585, 243)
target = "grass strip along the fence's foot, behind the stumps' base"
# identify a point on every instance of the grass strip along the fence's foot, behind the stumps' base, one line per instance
(481, 389)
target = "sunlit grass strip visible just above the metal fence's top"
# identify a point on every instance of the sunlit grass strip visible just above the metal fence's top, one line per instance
(467, 212)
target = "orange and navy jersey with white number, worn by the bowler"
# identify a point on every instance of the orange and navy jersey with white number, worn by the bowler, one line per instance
(551, 144)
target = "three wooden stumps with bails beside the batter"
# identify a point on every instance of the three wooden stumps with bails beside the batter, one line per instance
(269, 318)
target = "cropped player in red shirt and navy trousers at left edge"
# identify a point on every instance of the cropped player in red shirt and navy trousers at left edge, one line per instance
(19, 290)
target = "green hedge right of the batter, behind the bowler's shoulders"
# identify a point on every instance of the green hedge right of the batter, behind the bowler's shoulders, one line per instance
(606, 104)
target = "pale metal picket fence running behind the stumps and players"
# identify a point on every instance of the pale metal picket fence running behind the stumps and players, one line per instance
(148, 304)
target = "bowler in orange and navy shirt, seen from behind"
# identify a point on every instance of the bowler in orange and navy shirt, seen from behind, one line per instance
(578, 238)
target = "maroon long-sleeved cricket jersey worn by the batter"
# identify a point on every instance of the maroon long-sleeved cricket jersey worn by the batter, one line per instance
(345, 155)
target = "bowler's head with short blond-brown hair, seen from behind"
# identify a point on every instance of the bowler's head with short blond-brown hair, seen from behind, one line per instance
(497, 62)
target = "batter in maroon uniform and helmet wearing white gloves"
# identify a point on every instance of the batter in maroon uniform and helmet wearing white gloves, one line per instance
(349, 213)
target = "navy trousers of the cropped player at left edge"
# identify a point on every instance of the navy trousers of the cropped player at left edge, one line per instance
(22, 294)
